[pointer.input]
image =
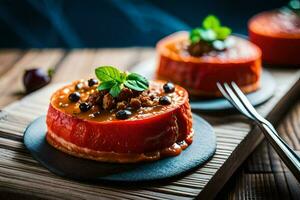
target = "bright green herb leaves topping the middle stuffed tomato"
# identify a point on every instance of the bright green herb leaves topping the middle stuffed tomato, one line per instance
(210, 31)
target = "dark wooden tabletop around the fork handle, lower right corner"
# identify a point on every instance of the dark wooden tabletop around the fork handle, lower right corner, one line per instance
(264, 175)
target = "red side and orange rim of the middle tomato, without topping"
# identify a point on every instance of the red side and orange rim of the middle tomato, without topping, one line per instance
(199, 76)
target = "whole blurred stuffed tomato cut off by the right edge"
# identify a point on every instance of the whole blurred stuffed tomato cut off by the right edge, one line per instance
(277, 33)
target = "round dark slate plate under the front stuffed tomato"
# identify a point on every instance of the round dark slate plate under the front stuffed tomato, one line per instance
(202, 148)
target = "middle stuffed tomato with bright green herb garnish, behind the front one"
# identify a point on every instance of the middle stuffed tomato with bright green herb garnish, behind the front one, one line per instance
(197, 60)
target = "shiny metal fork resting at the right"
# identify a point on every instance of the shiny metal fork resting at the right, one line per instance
(237, 98)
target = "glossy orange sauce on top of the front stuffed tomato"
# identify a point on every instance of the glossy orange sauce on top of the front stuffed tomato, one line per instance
(61, 102)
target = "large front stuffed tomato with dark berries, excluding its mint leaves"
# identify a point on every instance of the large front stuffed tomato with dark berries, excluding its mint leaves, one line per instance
(131, 126)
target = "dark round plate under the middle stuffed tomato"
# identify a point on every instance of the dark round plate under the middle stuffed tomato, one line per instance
(258, 97)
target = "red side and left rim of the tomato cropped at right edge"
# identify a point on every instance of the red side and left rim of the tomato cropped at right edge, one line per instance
(278, 48)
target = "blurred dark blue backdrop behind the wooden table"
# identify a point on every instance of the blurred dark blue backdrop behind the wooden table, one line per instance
(114, 23)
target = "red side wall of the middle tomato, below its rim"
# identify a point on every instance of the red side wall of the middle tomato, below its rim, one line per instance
(200, 78)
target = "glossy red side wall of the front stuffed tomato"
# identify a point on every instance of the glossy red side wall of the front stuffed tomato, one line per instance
(140, 136)
